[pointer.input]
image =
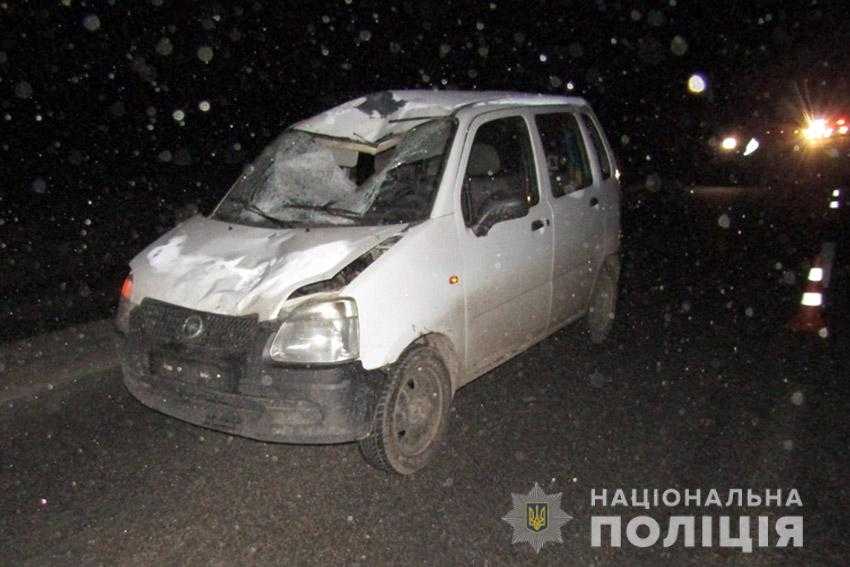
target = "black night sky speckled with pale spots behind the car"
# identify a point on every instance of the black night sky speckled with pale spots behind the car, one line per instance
(95, 158)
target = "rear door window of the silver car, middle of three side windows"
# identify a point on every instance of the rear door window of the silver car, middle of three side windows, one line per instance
(566, 156)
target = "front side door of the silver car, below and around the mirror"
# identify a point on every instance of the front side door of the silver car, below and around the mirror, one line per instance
(507, 271)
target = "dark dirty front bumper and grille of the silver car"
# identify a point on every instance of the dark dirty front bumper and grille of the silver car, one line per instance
(219, 380)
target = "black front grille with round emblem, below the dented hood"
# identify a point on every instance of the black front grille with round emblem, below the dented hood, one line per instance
(163, 323)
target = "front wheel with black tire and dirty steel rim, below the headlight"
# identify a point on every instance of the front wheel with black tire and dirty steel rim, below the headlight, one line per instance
(412, 413)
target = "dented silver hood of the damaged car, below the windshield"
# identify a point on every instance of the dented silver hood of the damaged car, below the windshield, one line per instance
(233, 269)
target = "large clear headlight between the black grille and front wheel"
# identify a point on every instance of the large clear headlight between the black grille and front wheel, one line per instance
(323, 332)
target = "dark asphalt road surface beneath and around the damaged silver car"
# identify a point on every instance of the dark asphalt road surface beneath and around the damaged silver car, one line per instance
(700, 387)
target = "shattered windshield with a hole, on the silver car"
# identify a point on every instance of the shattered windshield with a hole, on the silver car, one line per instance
(303, 179)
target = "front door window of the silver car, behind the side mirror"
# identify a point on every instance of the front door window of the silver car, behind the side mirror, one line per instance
(500, 169)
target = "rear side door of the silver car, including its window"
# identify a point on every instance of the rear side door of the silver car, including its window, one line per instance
(577, 219)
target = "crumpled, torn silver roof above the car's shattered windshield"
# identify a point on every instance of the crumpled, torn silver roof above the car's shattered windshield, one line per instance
(376, 117)
